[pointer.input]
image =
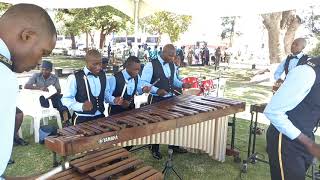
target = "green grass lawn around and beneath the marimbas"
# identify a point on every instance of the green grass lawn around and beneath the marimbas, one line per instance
(36, 159)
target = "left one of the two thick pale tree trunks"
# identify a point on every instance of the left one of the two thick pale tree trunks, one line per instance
(272, 24)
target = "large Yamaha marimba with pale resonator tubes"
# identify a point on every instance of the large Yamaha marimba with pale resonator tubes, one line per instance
(195, 122)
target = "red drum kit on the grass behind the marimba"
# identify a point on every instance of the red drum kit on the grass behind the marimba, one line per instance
(202, 86)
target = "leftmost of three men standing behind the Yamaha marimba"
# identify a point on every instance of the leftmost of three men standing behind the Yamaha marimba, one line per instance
(86, 89)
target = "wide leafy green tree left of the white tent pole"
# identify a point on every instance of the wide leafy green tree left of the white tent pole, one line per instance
(106, 19)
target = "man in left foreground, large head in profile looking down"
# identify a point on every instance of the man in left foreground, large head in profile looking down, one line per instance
(27, 33)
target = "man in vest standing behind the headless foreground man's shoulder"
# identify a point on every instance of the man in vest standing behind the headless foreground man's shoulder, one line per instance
(296, 58)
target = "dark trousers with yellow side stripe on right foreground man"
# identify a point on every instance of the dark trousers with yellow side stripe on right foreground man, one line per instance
(293, 160)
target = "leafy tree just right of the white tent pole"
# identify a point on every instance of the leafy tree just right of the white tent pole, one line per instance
(165, 22)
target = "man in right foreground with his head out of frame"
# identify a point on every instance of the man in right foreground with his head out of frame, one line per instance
(294, 112)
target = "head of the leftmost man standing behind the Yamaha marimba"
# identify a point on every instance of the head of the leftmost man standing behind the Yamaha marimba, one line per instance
(93, 61)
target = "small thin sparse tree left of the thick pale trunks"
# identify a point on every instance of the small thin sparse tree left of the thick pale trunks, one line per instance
(228, 31)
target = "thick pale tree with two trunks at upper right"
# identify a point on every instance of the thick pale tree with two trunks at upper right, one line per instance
(281, 27)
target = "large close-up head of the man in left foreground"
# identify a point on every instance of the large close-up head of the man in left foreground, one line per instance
(29, 33)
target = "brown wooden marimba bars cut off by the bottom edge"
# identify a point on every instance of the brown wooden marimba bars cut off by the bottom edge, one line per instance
(106, 163)
